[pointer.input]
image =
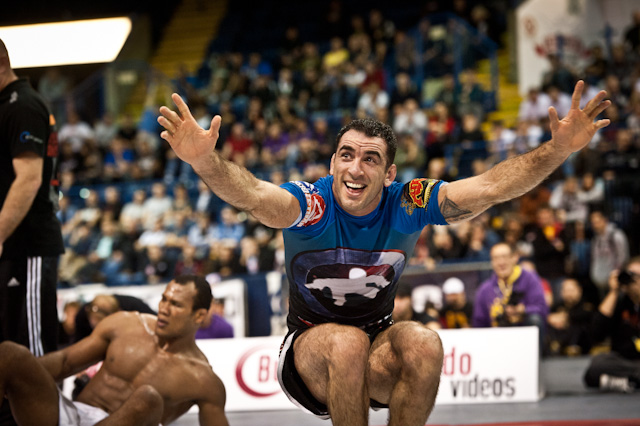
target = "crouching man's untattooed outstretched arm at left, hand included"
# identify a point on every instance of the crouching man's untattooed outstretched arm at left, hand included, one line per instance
(270, 204)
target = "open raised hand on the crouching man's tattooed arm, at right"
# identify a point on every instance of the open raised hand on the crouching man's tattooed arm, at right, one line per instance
(574, 131)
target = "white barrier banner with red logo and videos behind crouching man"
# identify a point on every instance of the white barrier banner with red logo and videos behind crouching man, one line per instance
(480, 366)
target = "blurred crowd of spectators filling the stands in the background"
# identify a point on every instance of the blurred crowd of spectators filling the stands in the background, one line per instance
(133, 213)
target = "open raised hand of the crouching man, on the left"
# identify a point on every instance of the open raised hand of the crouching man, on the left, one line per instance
(188, 140)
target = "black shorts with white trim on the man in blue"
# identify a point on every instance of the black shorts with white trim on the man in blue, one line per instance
(293, 385)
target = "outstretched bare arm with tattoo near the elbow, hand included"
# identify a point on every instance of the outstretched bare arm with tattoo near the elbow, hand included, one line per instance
(467, 198)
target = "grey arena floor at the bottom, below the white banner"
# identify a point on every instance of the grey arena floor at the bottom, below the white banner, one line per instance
(566, 403)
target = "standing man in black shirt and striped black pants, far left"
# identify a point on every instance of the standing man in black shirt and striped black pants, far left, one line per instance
(30, 237)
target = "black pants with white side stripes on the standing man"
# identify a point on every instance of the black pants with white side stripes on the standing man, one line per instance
(28, 311)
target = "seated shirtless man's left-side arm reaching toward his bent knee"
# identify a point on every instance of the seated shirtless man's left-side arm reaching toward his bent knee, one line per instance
(86, 352)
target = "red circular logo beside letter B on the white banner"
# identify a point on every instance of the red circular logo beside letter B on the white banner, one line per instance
(257, 371)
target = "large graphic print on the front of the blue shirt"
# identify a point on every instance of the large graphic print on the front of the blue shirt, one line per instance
(347, 283)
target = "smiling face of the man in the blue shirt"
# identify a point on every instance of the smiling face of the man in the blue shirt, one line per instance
(360, 171)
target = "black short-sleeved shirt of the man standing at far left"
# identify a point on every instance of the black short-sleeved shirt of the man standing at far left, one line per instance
(27, 126)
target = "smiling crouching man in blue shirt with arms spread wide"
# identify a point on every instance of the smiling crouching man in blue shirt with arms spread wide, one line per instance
(347, 239)
